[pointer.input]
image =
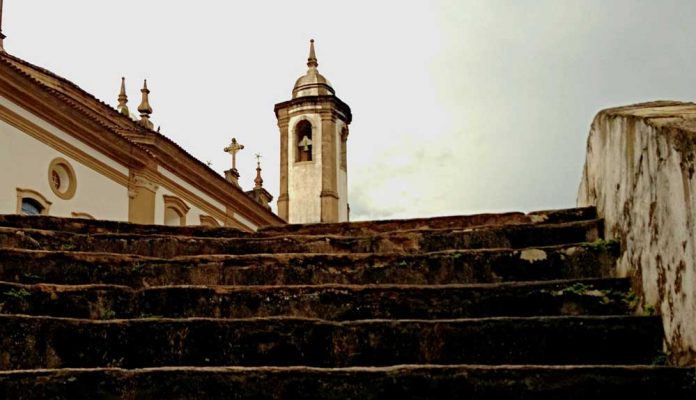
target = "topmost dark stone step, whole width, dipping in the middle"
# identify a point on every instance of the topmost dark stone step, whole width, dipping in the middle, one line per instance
(85, 226)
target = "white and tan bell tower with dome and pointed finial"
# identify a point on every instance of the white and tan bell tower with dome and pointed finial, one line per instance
(313, 150)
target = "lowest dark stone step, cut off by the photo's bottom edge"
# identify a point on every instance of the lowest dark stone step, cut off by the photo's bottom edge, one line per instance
(475, 382)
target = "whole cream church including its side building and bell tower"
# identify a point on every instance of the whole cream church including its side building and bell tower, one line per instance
(65, 153)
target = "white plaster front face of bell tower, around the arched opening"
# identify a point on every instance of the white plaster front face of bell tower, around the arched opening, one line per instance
(304, 178)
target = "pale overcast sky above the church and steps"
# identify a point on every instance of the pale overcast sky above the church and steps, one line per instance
(459, 106)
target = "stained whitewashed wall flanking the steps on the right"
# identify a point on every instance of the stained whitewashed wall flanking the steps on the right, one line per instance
(639, 173)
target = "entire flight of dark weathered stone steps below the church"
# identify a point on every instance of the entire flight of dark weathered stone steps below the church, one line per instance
(491, 306)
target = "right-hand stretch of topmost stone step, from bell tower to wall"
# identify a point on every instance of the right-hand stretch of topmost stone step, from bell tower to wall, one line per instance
(451, 222)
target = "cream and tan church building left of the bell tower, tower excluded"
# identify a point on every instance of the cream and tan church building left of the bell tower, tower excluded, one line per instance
(65, 153)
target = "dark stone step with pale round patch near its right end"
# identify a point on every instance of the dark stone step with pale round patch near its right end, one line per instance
(448, 267)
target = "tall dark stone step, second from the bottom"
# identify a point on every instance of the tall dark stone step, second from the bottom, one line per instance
(30, 342)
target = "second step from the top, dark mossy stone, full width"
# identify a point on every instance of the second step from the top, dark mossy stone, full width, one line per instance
(510, 236)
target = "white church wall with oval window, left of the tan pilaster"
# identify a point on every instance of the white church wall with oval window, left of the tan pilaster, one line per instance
(25, 160)
